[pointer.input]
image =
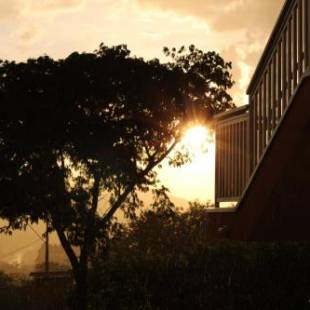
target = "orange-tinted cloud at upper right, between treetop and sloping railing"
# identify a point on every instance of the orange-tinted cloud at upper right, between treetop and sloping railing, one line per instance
(247, 23)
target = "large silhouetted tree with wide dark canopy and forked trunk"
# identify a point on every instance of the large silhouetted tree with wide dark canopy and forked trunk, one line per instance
(96, 124)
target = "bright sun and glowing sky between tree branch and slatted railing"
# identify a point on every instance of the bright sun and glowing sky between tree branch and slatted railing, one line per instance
(195, 179)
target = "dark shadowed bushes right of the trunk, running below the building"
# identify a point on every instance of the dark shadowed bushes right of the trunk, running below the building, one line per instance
(167, 262)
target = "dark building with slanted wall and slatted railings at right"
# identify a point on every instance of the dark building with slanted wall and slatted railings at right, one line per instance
(263, 149)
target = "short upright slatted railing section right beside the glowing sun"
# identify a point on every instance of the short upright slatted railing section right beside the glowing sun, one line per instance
(232, 149)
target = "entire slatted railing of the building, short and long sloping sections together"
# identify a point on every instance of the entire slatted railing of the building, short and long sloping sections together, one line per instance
(243, 134)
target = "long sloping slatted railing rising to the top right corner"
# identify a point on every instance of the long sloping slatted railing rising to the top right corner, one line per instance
(278, 73)
